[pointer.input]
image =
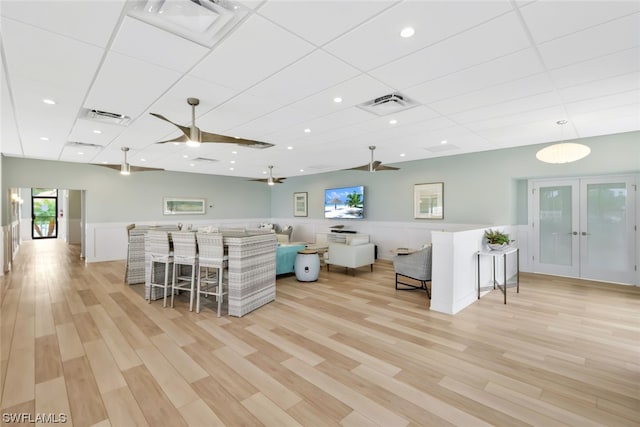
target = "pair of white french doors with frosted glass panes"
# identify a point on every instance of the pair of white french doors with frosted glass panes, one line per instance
(585, 228)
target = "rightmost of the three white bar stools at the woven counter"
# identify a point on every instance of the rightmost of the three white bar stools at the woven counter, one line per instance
(211, 256)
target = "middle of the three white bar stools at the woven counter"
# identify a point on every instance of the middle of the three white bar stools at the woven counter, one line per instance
(184, 254)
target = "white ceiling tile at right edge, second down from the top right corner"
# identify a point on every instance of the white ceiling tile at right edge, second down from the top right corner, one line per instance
(604, 39)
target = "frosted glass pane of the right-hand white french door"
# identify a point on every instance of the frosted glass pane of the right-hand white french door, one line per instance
(607, 236)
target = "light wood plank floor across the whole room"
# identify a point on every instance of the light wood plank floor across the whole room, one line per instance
(346, 350)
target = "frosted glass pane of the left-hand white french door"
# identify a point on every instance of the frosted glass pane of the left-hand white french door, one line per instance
(555, 225)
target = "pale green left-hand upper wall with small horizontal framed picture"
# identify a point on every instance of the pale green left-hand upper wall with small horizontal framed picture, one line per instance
(112, 197)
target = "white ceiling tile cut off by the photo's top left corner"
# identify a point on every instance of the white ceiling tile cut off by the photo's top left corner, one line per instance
(91, 22)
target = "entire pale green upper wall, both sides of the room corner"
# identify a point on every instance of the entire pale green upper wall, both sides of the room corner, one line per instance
(479, 188)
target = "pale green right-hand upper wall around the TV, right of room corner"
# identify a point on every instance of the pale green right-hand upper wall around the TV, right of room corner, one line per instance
(487, 187)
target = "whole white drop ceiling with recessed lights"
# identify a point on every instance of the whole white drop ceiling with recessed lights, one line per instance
(486, 75)
